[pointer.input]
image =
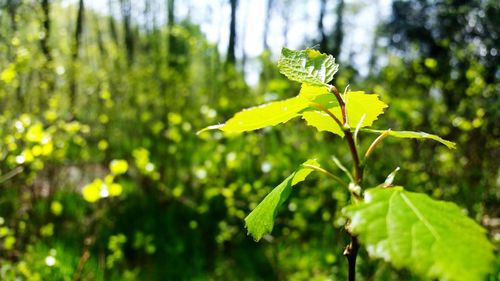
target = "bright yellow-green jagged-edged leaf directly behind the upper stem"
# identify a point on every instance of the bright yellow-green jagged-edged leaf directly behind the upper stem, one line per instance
(357, 104)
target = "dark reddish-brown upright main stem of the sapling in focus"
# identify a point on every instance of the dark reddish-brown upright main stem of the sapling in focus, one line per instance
(351, 251)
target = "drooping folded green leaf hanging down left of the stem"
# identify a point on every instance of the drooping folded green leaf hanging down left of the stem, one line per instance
(261, 220)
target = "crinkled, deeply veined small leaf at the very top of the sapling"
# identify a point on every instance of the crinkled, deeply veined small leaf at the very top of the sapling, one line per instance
(307, 66)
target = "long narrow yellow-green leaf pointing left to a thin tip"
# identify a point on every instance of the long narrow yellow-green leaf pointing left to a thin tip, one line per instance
(258, 117)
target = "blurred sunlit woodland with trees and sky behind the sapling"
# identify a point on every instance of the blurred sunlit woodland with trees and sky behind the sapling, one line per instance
(102, 175)
